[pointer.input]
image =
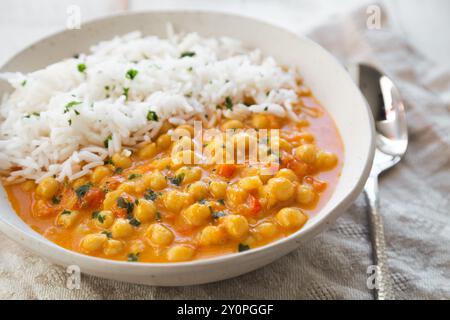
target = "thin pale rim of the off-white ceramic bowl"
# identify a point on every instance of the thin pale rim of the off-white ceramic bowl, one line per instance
(304, 233)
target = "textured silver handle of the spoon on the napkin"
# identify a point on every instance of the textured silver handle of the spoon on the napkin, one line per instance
(383, 289)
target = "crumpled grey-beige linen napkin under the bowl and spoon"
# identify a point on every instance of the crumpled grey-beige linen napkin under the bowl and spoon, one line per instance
(414, 201)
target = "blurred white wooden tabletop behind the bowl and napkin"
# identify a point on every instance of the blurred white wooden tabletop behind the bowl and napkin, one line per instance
(424, 23)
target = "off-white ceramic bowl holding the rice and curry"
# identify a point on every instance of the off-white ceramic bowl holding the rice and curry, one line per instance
(322, 73)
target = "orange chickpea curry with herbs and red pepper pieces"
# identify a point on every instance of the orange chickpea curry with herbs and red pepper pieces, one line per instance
(145, 205)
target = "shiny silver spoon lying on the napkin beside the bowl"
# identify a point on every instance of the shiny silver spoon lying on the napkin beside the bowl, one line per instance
(391, 140)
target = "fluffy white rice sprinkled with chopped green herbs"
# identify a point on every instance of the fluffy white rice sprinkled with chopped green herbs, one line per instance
(38, 138)
